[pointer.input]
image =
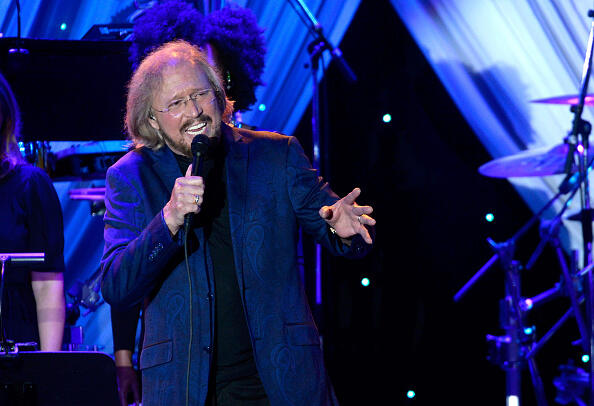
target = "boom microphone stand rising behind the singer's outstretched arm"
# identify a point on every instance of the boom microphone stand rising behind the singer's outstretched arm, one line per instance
(320, 160)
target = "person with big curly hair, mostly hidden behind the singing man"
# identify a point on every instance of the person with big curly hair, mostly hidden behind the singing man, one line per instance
(235, 46)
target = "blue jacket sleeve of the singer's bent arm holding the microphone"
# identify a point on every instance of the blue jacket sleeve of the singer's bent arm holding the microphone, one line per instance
(137, 247)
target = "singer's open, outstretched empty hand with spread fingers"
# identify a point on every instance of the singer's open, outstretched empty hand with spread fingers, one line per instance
(348, 218)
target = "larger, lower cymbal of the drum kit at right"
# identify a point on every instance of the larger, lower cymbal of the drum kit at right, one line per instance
(536, 162)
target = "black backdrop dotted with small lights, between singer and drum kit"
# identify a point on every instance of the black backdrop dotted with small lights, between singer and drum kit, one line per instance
(404, 332)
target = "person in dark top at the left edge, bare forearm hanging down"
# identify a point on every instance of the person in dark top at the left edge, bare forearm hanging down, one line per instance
(33, 303)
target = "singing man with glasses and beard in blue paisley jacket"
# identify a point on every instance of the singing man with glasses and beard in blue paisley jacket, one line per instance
(231, 324)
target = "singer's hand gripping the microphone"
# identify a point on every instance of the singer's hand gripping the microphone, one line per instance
(186, 197)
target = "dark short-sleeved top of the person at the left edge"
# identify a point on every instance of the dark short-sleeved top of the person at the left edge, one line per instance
(30, 221)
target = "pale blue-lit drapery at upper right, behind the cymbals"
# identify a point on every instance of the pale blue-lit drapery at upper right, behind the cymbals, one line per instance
(494, 57)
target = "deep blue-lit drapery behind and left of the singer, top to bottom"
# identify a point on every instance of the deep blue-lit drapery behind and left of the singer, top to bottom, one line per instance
(285, 96)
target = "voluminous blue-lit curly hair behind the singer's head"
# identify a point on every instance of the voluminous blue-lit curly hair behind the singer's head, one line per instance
(233, 31)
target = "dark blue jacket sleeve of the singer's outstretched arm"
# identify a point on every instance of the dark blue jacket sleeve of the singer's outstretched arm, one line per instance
(308, 193)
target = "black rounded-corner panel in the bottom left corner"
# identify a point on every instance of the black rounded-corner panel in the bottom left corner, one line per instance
(58, 379)
